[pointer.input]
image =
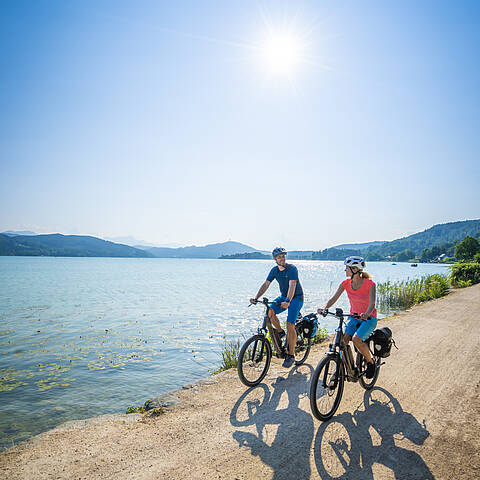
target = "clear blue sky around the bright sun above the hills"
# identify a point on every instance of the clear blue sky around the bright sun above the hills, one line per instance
(164, 120)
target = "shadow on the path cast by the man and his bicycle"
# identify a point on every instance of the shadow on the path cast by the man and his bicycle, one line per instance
(288, 453)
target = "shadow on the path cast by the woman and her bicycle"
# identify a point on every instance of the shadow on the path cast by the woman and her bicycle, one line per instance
(349, 445)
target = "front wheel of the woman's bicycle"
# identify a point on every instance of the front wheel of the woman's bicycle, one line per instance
(326, 390)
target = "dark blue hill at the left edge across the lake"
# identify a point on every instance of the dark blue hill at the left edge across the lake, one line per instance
(57, 245)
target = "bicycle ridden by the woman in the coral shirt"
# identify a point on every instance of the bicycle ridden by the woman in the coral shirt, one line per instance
(326, 388)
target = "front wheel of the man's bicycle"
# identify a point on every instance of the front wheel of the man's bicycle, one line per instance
(254, 360)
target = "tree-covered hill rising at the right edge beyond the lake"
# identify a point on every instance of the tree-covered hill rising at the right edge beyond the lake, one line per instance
(434, 236)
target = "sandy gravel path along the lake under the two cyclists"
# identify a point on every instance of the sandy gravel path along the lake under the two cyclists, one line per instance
(421, 421)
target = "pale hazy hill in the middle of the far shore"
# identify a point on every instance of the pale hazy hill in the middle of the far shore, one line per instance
(214, 250)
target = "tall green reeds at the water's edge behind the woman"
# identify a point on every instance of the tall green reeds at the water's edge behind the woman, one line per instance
(394, 296)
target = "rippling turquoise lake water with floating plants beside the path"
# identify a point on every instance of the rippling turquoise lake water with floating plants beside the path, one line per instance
(85, 336)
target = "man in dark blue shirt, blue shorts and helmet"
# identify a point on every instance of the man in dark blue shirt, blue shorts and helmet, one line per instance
(291, 298)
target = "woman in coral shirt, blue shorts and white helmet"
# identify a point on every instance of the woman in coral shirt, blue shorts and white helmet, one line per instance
(361, 291)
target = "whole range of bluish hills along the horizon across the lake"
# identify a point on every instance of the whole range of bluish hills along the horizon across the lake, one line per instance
(28, 243)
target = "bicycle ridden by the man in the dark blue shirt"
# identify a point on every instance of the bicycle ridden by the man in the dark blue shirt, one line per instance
(256, 353)
